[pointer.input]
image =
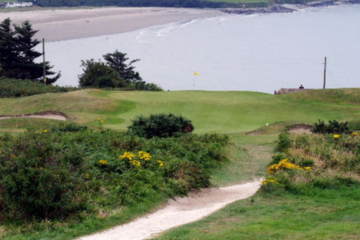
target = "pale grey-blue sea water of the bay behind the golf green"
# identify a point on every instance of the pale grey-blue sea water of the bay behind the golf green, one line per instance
(233, 52)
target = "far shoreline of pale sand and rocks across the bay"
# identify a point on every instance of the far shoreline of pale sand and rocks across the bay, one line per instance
(59, 24)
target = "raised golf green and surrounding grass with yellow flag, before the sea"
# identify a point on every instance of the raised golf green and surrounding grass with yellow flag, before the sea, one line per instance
(211, 112)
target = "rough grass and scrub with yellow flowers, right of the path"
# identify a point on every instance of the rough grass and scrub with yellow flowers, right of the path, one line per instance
(314, 162)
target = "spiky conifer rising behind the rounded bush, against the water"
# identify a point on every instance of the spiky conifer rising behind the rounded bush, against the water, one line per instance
(118, 62)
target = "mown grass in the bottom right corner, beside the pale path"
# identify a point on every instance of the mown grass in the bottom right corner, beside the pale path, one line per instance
(331, 214)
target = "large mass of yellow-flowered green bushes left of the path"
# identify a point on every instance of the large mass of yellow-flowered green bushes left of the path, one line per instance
(68, 170)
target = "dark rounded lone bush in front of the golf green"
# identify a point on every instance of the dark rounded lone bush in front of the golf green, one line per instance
(160, 125)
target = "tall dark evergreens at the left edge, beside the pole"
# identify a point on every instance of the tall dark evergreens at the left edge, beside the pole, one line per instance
(19, 60)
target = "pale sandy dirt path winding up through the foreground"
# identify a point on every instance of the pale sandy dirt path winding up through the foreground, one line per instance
(178, 212)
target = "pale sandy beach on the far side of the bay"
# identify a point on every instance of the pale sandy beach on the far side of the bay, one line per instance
(65, 24)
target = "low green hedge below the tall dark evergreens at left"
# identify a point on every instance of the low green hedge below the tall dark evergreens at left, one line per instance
(22, 88)
